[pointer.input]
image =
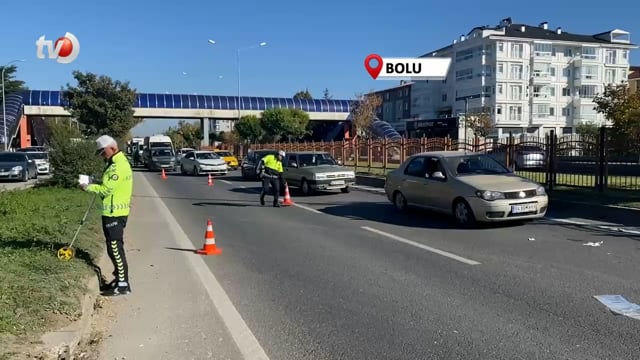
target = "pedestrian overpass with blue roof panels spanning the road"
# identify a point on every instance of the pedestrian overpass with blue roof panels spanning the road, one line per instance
(44, 103)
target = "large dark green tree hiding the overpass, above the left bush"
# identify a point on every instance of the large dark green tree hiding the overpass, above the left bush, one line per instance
(103, 105)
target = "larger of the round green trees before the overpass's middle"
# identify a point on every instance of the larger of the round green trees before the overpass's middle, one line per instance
(284, 123)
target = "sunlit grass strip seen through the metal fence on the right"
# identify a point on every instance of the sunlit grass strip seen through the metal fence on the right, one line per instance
(622, 190)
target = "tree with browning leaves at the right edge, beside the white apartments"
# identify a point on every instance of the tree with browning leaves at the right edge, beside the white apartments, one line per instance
(619, 106)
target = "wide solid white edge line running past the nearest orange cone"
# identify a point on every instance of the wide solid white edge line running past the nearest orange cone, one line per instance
(242, 335)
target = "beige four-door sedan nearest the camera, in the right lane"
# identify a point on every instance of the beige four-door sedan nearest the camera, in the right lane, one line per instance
(472, 187)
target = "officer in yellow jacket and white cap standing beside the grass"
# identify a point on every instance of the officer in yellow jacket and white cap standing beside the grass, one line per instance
(115, 190)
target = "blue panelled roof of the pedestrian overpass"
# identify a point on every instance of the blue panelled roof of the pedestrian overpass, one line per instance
(212, 102)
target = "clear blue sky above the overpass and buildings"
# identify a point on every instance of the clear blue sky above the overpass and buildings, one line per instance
(310, 45)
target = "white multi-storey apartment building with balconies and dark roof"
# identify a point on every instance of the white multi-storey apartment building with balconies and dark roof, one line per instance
(531, 79)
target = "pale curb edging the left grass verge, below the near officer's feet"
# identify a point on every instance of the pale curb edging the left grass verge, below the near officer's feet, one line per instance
(61, 344)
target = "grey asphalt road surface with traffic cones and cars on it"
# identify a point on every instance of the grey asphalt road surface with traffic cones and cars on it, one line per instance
(344, 276)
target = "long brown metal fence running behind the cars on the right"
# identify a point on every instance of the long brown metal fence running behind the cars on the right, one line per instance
(596, 161)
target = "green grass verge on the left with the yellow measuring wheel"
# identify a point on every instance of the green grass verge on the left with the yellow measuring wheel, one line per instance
(38, 292)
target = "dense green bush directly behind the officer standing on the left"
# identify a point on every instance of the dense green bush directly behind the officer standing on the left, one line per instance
(71, 155)
